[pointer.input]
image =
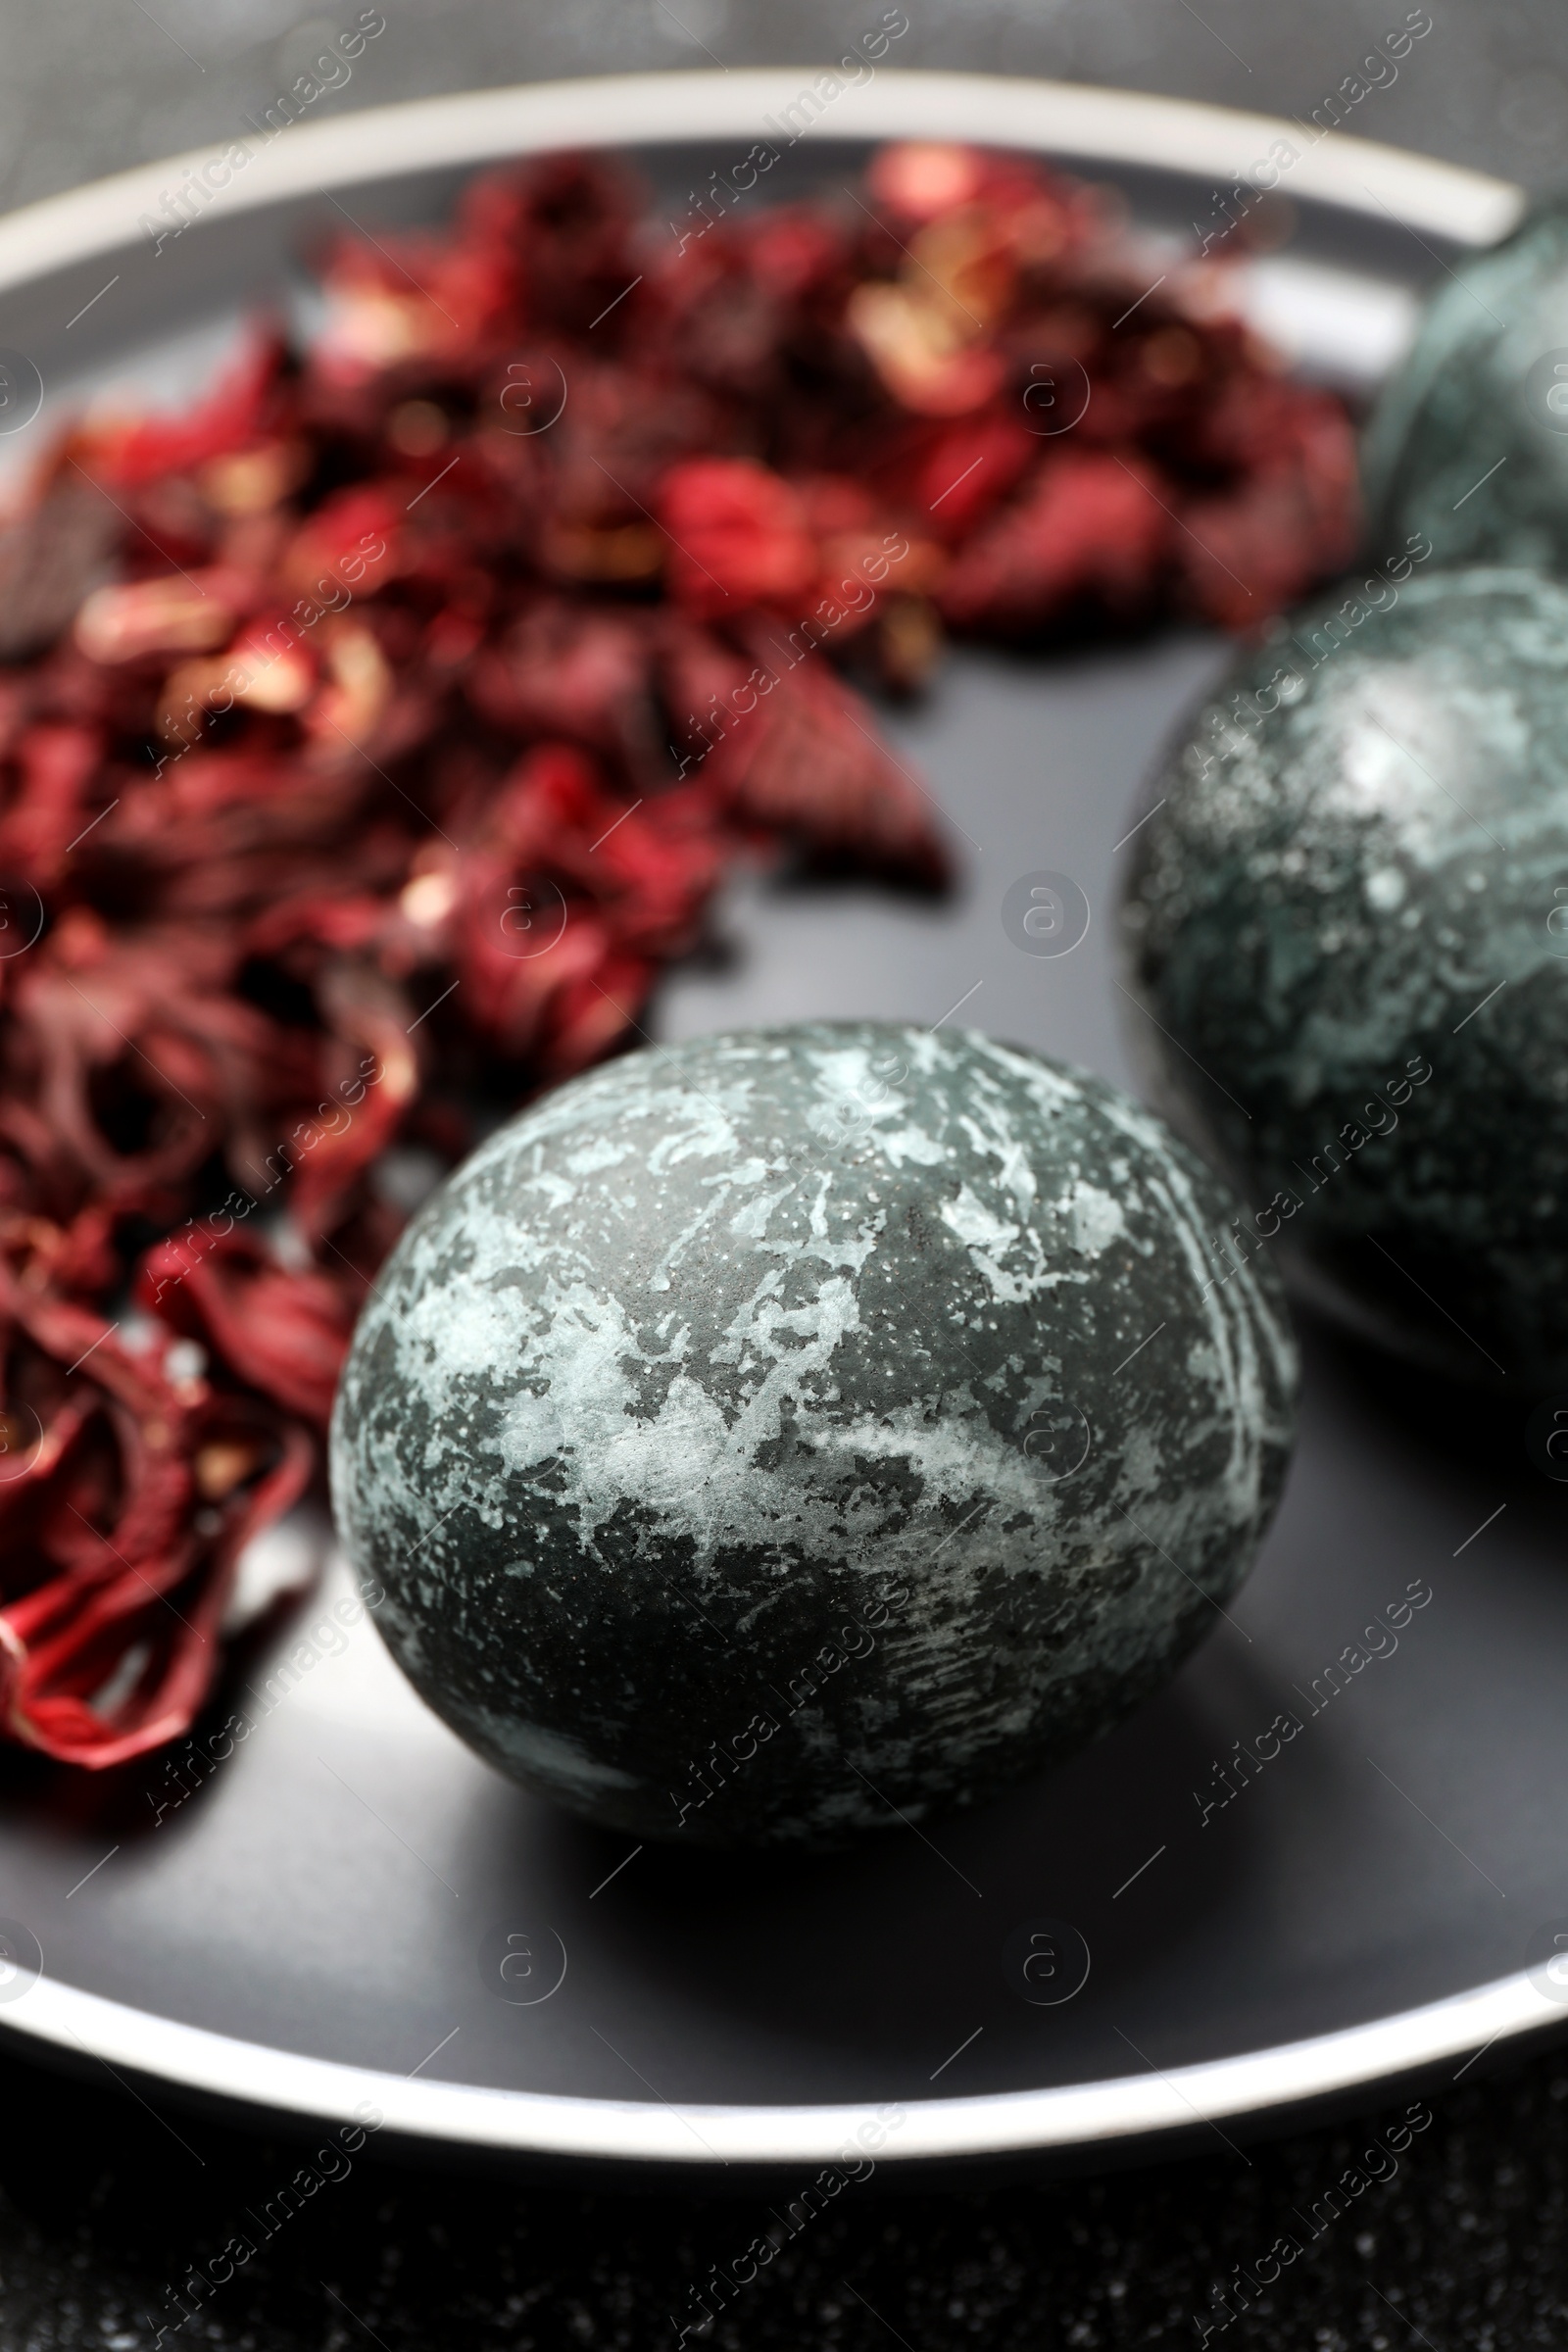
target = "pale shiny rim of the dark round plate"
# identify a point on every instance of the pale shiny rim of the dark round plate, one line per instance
(471, 128)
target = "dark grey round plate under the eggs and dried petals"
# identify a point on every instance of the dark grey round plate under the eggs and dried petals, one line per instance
(354, 1909)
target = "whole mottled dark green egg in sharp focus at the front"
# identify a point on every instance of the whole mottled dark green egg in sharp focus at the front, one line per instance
(779, 1429)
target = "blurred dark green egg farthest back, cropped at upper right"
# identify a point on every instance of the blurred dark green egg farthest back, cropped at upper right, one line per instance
(1470, 436)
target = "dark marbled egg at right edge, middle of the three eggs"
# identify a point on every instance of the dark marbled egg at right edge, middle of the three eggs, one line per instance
(1351, 926)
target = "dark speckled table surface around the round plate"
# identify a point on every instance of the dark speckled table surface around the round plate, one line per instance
(105, 2205)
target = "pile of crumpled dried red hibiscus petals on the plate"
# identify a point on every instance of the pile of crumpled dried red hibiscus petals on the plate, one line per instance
(373, 735)
